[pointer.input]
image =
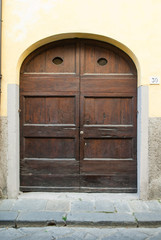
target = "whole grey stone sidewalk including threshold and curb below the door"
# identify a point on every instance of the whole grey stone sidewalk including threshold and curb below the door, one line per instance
(79, 209)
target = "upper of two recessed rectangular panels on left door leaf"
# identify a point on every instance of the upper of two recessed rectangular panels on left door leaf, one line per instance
(50, 110)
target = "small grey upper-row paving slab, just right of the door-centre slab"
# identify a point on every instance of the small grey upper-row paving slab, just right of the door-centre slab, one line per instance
(104, 206)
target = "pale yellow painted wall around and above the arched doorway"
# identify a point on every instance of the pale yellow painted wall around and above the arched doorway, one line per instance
(132, 25)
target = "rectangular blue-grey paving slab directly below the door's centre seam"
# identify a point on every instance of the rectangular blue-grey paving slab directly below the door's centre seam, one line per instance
(82, 206)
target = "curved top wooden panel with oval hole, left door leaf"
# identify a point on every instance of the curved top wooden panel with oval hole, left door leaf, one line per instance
(43, 60)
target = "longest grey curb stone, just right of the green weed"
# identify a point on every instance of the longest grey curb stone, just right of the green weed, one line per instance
(107, 219)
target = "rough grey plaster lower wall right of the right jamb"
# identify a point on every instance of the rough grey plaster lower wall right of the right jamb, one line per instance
(154, 158)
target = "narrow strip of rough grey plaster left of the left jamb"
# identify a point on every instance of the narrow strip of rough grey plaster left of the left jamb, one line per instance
(3, 156)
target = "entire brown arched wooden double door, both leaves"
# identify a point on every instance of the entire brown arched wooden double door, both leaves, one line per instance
(78, 118)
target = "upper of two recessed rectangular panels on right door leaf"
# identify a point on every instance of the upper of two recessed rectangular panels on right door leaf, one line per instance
(108, 110)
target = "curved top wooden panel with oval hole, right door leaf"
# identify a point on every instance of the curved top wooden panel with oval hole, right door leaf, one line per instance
(105, 59)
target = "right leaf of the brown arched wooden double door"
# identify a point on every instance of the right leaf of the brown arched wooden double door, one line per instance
(108, 119)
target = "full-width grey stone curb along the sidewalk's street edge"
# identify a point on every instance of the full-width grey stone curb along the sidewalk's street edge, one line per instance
(44, 219)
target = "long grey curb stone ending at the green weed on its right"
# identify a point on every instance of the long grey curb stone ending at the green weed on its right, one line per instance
(40, 218)
